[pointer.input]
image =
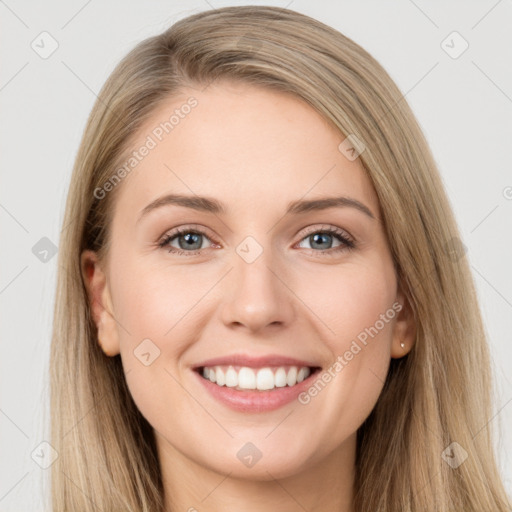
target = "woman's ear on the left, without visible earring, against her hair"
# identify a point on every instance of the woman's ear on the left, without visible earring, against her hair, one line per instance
(100, 300)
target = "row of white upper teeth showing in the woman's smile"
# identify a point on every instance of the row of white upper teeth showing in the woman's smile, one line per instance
(262, 379)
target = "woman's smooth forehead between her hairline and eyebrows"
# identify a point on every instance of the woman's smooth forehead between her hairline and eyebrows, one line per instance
(245, 145)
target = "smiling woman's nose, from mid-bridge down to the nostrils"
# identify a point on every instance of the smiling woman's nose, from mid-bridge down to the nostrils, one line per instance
(258, 296)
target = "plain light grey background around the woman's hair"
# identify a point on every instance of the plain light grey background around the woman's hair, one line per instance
(463, 104)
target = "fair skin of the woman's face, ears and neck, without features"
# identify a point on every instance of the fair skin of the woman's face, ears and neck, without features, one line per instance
(255, 151)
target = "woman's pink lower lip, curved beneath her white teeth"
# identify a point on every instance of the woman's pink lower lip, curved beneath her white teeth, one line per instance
(256, 401)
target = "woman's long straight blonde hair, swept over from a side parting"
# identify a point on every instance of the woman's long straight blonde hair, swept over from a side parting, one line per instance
(438, 394)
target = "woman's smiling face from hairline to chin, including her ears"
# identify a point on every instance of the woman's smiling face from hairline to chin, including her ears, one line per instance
(256, 285)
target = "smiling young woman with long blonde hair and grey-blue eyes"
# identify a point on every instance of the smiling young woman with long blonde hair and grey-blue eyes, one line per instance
(207, 353)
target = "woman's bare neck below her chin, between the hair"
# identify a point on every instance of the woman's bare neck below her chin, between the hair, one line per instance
(326, 486)
